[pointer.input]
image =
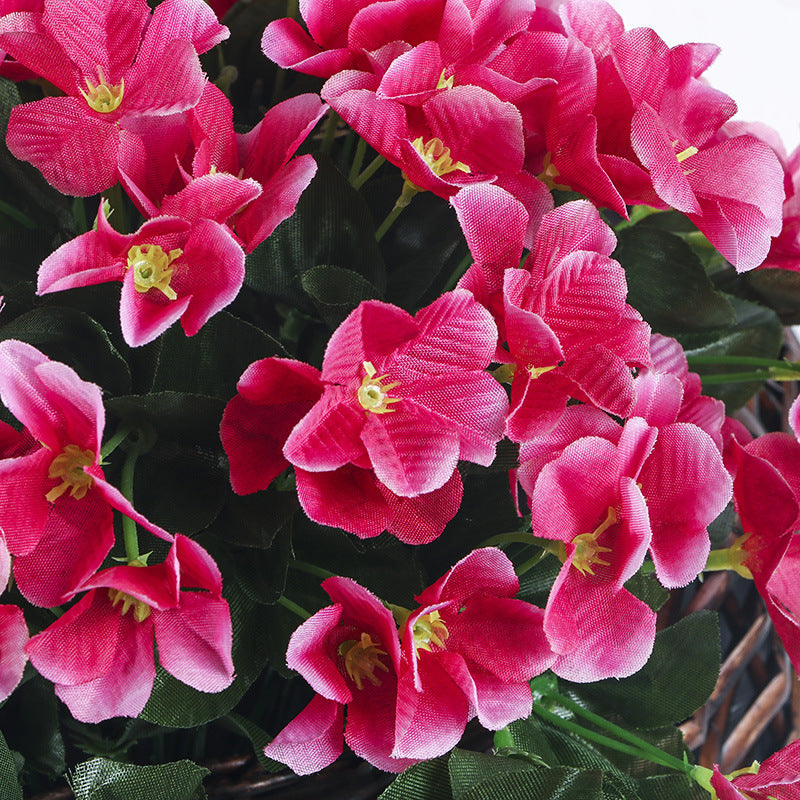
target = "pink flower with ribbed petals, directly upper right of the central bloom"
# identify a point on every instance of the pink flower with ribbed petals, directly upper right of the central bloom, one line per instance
(563, 315)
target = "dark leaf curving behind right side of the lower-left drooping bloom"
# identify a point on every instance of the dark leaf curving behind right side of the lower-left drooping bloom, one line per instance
(175, 705)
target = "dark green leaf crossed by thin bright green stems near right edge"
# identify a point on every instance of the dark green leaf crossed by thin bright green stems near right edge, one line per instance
(757, 332)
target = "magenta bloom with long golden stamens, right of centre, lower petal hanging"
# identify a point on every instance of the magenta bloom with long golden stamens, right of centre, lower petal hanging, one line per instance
(588, 499)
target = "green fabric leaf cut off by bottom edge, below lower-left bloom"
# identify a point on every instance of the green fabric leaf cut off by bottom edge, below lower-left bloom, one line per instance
(100, 779)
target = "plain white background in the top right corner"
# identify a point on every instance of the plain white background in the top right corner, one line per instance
(759, 66)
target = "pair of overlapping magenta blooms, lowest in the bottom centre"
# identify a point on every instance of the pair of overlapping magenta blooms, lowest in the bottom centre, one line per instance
(469, 649)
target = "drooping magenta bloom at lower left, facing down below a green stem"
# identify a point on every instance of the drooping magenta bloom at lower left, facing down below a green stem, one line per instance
(99, 654)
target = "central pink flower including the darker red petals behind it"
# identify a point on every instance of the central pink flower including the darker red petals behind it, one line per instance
(286, 411)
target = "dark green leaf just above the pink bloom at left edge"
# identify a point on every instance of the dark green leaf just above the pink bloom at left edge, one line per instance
(74, 338)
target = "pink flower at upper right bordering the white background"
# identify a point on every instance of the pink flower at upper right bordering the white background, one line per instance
(657, 134)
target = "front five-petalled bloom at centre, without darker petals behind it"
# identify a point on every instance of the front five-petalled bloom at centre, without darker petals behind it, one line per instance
(407, 397)
